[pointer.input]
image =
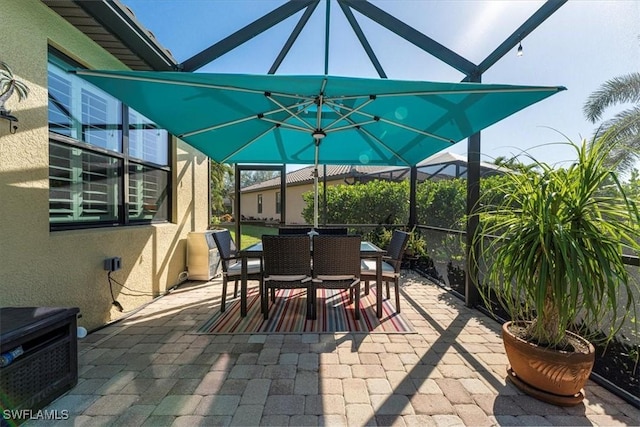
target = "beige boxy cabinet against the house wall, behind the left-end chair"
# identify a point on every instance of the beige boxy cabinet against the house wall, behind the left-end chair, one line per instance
(203, 259)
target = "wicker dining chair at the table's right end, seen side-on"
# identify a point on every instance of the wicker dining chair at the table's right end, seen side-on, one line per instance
(390, 265)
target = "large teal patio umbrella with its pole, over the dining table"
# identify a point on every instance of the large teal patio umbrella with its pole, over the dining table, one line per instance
(239, 118)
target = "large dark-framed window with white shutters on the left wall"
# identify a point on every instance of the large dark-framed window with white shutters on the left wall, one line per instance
(94, 157)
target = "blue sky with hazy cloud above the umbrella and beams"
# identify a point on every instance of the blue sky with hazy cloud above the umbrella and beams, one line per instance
(582, 45)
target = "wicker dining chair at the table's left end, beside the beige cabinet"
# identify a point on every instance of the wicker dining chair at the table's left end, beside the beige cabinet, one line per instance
(232, 264)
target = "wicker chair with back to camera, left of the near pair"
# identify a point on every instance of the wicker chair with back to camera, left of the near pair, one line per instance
(287, 265)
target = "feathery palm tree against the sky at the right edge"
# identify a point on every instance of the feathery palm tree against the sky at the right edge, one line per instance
(626, 124)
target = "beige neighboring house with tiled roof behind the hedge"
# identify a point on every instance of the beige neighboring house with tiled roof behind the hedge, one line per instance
(263, 200)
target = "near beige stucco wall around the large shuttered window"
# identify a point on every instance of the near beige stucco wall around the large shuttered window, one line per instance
(64, 268)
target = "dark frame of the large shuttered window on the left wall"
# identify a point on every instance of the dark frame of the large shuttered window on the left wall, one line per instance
(125, 160)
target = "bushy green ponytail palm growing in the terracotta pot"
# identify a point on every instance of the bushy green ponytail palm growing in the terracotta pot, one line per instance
(555, 257)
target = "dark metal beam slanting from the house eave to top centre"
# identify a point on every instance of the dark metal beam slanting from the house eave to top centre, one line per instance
(245, 34)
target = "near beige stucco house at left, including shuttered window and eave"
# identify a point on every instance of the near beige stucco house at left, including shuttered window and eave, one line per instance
(85, 178)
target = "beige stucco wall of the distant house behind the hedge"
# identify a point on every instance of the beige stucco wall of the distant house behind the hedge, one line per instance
(295, 202)
